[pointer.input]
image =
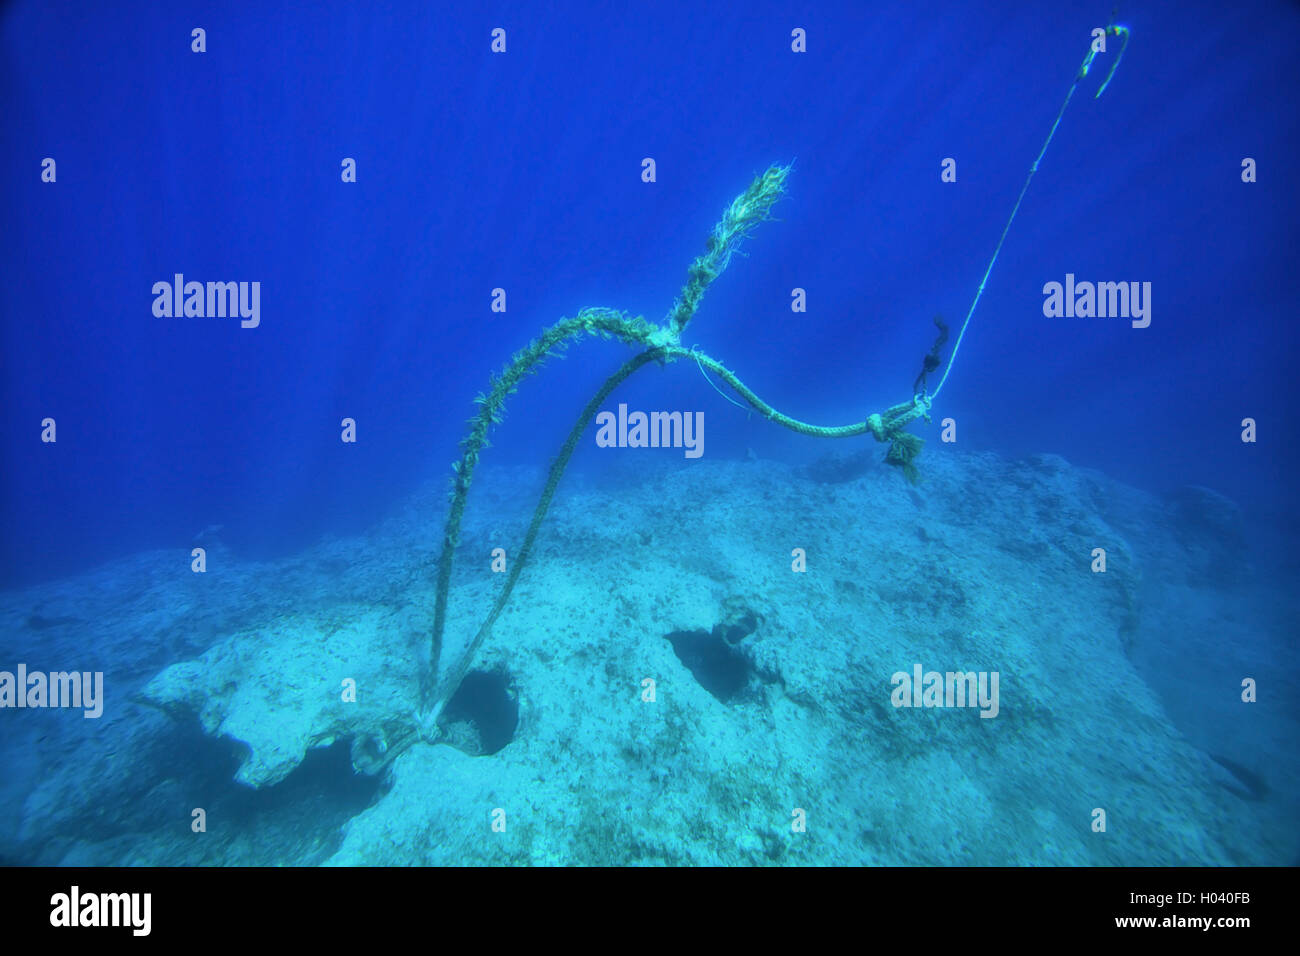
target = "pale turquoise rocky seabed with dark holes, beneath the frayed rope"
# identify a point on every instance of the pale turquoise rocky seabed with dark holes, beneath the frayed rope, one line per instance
(1117, 691)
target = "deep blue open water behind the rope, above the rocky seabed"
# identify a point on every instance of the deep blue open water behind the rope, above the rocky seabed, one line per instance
(523, 171)
